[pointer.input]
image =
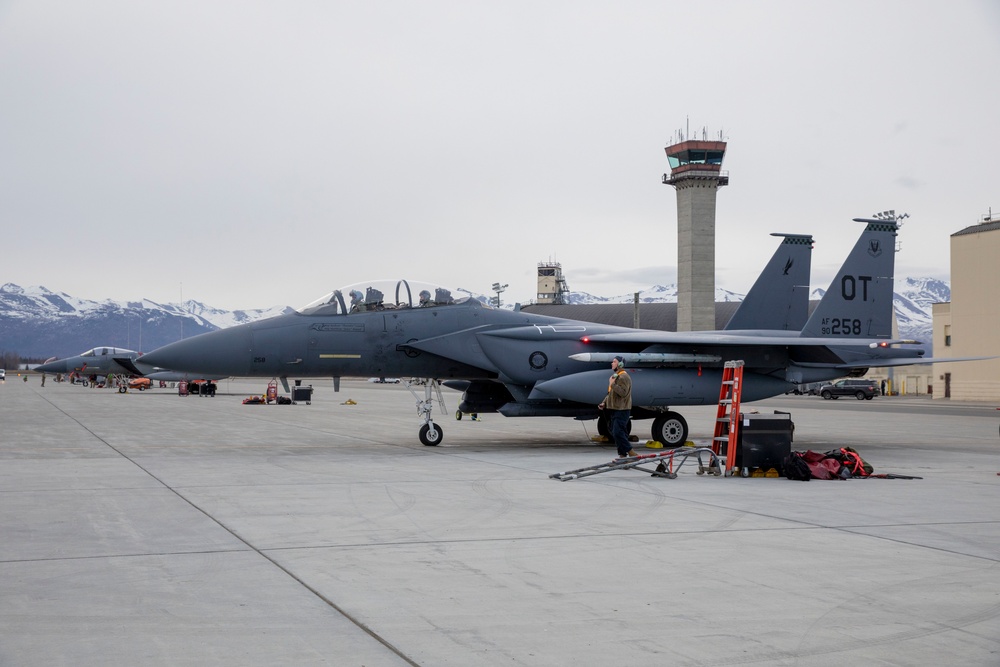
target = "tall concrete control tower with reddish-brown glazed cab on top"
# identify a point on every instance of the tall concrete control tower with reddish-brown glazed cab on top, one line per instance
(696, 173)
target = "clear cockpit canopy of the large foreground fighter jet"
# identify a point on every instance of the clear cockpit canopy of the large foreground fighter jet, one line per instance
(383, 295)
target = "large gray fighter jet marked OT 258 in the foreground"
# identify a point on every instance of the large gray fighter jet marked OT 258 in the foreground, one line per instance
(521, 364)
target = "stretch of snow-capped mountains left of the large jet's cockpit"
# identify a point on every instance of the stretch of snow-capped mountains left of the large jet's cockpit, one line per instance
(37, 322)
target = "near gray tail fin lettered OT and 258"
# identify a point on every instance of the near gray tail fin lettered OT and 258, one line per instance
(858, 303)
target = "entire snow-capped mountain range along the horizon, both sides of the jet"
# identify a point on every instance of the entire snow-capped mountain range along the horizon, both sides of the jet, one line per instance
(37, 322)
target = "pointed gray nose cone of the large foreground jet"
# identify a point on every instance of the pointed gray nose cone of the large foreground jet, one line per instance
(225, 353)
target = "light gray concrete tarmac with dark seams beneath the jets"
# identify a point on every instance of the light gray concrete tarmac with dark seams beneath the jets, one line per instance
(152, 529)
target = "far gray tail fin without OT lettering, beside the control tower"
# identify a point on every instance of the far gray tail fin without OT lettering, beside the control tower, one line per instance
(779, 300)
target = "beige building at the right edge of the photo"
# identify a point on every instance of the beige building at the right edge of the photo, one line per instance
(969, 326)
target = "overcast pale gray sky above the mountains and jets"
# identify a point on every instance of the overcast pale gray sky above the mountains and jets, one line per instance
(258, 153)
